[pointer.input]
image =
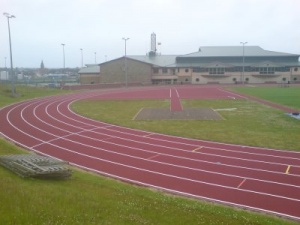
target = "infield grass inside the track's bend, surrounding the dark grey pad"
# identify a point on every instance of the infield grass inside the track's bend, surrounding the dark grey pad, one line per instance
(250, 123)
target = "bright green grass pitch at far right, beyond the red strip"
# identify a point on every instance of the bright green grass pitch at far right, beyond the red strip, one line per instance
(288, 96)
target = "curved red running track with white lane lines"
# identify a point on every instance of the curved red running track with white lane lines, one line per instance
(261, 179)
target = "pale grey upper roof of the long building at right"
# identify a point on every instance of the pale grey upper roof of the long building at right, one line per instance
(234, 51)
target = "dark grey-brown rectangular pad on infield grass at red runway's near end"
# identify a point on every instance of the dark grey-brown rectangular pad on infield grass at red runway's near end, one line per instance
(185, 114)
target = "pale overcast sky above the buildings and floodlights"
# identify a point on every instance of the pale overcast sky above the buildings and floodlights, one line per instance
(181, 26)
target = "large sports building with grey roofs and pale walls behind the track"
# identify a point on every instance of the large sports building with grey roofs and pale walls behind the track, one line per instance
(218, 64)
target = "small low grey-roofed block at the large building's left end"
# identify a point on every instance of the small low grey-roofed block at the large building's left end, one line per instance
(90, 74)
